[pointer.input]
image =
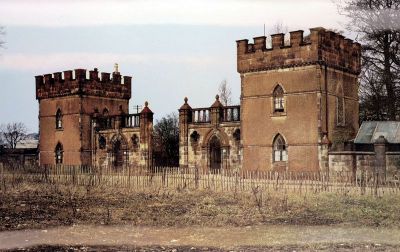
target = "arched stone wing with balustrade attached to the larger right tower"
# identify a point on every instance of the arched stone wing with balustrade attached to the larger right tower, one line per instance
(209, 138)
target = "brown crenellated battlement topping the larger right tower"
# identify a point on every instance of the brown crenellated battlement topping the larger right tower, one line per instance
(322, 47)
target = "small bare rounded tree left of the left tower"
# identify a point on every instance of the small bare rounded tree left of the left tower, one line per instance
(13, 133)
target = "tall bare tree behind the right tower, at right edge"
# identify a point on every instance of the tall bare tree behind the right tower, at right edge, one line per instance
(377, 24)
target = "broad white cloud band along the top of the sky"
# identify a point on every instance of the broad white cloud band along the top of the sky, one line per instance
(205, 12)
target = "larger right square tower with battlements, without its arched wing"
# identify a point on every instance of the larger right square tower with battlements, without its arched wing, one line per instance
(297, 99)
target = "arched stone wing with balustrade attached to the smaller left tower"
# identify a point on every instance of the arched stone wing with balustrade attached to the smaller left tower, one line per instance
(130, 136)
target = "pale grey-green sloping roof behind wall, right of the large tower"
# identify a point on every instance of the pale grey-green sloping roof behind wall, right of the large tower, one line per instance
(370, 131)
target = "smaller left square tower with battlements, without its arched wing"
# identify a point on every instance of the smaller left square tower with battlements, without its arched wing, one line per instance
(66, 104)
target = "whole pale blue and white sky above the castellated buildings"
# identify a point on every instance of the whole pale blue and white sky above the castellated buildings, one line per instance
(171, 48)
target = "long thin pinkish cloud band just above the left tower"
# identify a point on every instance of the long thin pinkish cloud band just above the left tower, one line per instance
(43, 63)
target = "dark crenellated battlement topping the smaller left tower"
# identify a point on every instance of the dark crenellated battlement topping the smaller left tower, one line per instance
(82, 82)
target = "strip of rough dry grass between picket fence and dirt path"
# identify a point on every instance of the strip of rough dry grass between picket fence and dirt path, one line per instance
(45, 205)
